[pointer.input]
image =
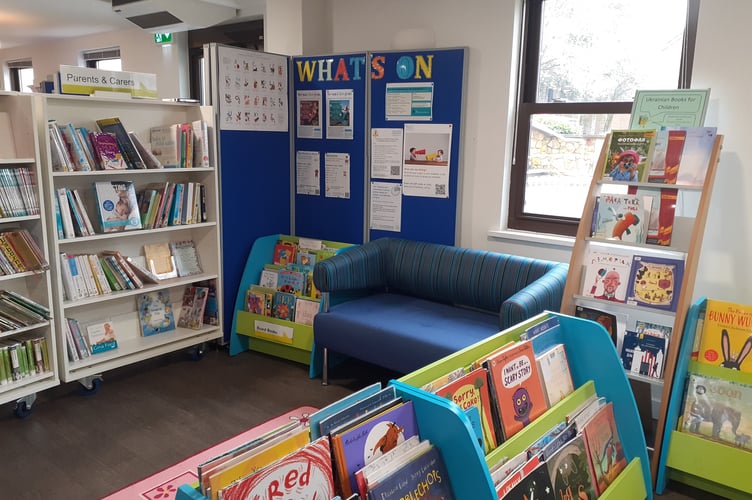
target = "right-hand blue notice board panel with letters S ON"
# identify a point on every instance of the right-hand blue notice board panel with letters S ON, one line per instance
(422, 88)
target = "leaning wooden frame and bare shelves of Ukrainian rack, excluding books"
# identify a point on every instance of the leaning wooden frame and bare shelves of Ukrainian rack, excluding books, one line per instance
(686, 242)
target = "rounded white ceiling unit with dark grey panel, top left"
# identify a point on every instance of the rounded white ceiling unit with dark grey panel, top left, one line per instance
(174, 15)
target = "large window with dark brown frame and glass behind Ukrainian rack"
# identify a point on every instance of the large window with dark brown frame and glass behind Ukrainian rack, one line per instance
(581, 63)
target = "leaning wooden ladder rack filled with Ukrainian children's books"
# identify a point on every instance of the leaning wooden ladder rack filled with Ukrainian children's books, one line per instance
(641, 287)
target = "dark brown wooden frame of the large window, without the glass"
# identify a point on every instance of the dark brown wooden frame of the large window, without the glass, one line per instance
(527, 107)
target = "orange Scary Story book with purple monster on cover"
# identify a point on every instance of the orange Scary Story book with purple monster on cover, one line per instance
(516, 387)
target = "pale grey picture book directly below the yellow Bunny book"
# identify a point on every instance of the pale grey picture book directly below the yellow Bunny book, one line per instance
(718, 409)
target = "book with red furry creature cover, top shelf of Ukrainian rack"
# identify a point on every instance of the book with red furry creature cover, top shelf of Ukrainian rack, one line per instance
(629, 154)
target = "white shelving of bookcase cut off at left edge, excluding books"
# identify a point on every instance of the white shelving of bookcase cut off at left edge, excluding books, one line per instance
(20, 149)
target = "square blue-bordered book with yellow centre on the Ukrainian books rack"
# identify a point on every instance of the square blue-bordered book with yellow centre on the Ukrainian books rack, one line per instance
(655, 282)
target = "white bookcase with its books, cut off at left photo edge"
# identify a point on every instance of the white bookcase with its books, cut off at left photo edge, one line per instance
(24, 275)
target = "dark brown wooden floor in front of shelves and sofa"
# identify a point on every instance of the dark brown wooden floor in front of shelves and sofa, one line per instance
(153, 414)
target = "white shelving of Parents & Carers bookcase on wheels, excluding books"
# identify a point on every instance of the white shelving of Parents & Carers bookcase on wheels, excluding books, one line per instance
(120, 307)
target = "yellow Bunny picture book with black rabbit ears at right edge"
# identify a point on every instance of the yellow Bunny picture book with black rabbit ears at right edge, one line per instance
(726, 338)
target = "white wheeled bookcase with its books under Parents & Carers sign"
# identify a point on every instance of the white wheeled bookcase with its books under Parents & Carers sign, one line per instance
(107, 248)
